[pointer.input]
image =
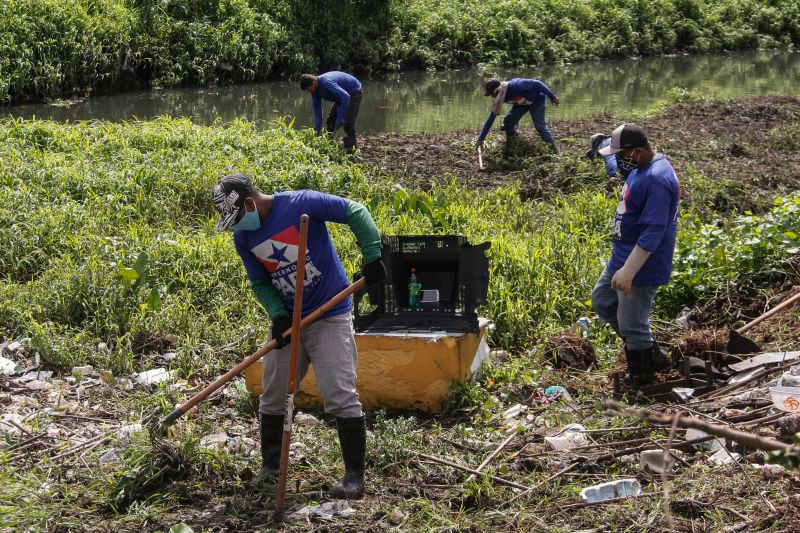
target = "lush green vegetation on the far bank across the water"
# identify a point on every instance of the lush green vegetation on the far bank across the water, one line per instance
(61, 49)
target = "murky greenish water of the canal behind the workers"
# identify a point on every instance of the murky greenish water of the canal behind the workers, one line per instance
(443, 101)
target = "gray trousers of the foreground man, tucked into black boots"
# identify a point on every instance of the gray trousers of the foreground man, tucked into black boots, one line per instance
(329, 345)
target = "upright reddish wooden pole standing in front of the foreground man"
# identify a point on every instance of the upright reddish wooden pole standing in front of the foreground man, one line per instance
(291, 385)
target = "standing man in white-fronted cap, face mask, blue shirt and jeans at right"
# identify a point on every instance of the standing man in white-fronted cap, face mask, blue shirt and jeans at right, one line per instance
(644, 230)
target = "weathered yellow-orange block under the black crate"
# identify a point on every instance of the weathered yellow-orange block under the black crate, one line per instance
(401, 370)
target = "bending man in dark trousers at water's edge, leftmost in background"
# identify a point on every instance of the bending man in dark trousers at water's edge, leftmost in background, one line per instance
(345, 92)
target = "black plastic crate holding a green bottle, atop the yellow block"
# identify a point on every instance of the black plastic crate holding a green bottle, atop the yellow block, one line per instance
(447, 263)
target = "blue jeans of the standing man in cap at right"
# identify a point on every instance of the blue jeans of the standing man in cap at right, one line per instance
(628, 315)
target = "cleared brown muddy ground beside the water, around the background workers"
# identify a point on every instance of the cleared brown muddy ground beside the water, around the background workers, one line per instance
(750, 148)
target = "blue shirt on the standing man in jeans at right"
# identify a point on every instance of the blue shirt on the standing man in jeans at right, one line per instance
(647, 215)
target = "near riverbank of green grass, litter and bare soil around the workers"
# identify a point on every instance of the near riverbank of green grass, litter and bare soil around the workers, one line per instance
(109, 258)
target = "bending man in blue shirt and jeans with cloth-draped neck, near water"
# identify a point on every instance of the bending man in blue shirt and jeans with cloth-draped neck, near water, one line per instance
(527, 96)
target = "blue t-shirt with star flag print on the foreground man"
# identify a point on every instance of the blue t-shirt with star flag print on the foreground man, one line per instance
(271, 250)
